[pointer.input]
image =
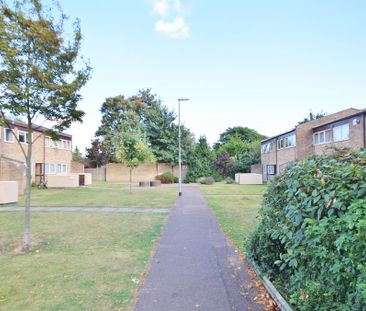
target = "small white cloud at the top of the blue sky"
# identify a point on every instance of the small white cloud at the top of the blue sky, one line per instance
(171, 23)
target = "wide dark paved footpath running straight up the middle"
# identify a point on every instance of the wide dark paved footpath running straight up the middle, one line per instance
(194, 268)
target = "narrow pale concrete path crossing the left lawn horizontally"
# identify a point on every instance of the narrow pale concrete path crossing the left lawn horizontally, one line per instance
(89, 209)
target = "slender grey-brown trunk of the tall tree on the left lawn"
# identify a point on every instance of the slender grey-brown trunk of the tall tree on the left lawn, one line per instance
(27, 194)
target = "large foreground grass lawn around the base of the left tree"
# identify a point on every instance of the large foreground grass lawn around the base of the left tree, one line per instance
(78, 261)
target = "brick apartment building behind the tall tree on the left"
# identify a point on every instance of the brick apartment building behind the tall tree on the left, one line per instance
(49, 157)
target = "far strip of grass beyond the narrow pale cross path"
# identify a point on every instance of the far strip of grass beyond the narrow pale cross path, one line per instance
(103, 194)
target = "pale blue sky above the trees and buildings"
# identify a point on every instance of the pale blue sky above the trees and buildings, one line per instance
(261, 64)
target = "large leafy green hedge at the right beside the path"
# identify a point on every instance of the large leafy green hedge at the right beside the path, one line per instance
(312, 237)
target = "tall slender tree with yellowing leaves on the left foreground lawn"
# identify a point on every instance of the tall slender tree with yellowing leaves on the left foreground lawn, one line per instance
(38, 75)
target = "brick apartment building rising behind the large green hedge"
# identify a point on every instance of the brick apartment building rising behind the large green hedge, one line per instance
(344, 129)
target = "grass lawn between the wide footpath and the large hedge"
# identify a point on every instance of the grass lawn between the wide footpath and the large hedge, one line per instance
(236, 208)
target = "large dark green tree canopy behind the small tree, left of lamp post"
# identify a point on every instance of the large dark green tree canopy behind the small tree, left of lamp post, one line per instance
(155, 120)
